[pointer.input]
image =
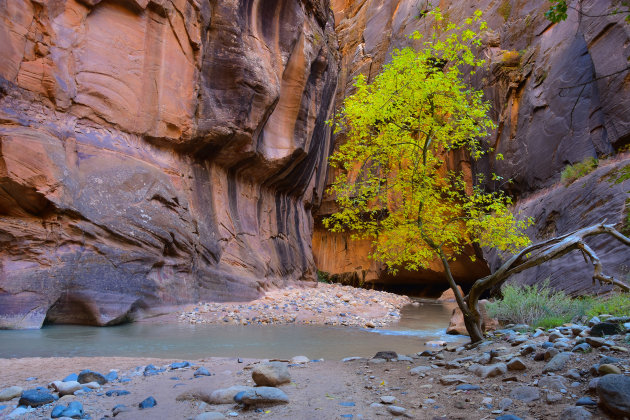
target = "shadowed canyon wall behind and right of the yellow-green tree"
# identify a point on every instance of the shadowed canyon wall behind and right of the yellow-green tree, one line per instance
(554, 105)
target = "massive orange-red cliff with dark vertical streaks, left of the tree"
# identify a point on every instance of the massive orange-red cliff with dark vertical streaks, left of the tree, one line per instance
(158, 152)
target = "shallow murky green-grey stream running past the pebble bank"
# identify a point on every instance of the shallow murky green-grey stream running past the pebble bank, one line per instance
(418, 324)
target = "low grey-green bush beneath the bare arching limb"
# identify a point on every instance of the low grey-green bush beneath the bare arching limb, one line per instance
(537, 305)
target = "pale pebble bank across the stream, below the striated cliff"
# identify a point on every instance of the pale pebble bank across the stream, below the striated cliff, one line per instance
(326, 304)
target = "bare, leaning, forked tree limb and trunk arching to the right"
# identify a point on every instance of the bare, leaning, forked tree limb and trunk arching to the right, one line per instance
(533, 256)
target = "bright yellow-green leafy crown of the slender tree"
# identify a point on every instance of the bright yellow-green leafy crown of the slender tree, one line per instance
(394, 187)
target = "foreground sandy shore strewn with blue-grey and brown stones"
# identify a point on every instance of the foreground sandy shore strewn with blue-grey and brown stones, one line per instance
(571, 372)
